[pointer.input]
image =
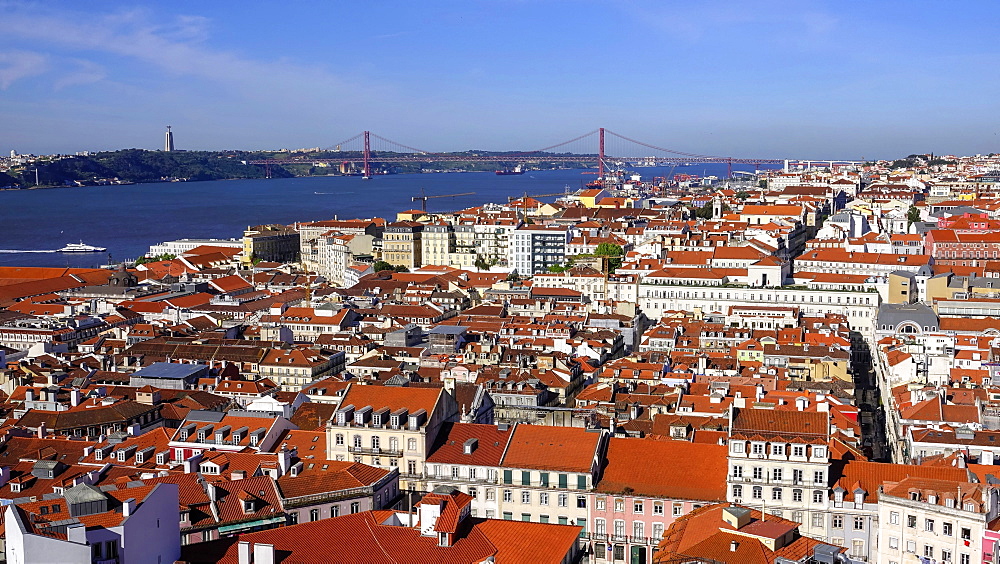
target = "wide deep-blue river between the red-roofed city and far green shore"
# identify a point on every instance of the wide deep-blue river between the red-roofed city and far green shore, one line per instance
(128, 219)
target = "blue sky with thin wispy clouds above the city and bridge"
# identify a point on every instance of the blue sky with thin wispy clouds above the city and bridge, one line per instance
(783, 79)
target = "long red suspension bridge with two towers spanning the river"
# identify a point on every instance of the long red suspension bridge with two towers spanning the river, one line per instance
(366, 149)
